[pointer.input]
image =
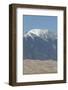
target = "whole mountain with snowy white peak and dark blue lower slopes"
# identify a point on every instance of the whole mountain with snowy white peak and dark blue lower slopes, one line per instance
(40, 44)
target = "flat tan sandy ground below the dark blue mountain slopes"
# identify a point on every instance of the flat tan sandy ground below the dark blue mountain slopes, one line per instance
(39, 66)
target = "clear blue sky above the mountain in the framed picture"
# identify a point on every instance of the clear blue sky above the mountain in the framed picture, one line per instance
(40, 22)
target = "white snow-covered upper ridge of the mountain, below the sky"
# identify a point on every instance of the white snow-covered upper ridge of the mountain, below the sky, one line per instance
(42, 33)
